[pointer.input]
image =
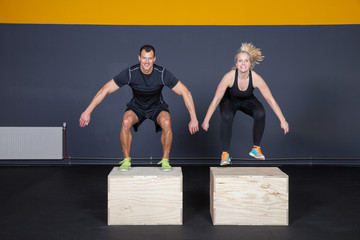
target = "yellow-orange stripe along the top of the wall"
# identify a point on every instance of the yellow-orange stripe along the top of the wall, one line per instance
(184, 12)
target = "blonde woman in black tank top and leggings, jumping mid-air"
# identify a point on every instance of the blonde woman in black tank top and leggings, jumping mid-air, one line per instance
(235, 92)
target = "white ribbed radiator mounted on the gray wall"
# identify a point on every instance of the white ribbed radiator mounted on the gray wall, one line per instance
(31, 142)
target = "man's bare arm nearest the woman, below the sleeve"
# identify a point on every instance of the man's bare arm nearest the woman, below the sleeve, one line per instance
(181, 90)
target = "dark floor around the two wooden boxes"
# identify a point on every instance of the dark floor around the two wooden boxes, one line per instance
(71, 203)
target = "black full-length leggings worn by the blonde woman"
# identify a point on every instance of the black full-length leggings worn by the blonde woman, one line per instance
(250, 106)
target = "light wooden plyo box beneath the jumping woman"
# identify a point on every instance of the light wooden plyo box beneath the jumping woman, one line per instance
(249, 196)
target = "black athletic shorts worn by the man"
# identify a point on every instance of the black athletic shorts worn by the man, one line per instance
(151, 113)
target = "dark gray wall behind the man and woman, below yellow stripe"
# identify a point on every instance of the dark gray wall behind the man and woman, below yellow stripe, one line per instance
(49, 74)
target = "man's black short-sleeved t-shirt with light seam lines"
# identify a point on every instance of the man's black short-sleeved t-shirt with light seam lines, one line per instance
(146, 87)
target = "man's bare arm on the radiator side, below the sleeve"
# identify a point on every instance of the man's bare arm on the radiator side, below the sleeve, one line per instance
(108, 88)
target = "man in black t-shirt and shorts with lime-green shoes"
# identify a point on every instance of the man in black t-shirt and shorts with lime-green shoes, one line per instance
(146, 81)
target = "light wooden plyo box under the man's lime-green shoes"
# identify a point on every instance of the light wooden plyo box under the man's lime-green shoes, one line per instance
(145, 196)
